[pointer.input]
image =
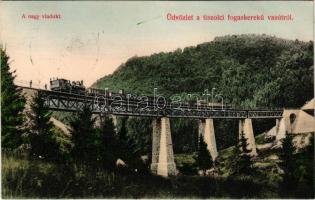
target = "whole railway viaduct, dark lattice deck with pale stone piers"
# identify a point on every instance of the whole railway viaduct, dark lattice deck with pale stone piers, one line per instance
(162, 149)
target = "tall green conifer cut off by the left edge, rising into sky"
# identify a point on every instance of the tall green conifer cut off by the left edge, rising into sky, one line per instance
(12, 105)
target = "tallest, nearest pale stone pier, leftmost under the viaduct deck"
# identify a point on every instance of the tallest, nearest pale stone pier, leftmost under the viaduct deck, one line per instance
(162, 148)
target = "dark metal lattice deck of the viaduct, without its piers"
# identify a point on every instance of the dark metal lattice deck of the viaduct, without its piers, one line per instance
(121, 105)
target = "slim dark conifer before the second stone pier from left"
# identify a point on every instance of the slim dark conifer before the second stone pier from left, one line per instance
(203, 159)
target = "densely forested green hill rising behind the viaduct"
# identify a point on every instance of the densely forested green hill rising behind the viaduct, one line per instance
(248, 70)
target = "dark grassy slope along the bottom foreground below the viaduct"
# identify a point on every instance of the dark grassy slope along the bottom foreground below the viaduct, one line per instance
(34, 179)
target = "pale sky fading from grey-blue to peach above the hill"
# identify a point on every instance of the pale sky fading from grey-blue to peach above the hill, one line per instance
(93, 38)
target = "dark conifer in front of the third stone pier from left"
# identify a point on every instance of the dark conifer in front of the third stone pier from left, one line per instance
(242, 164)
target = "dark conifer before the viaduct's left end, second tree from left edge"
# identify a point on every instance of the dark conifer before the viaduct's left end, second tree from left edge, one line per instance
(42, 140)
